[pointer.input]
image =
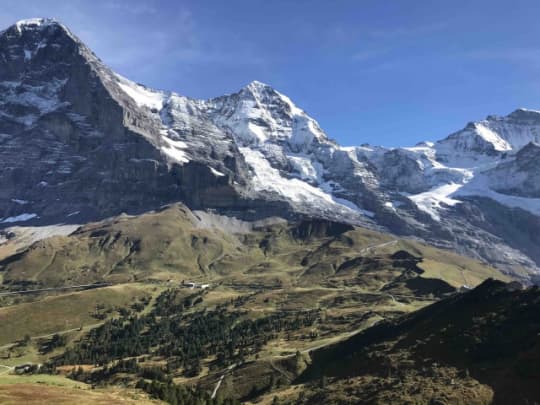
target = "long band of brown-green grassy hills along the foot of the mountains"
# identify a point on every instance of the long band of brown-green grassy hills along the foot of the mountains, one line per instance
(169, 244)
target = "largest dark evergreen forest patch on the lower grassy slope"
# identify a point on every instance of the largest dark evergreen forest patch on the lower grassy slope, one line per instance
(183, 338)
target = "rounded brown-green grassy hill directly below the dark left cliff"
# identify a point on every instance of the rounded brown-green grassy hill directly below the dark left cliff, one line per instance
(121, 250)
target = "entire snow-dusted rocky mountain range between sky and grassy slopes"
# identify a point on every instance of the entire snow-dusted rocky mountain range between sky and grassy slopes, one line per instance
(79, 142)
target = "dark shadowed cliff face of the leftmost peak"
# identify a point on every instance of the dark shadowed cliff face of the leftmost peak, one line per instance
(65, 147)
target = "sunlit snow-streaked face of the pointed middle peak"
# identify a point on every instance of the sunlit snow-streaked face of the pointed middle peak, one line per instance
(291, 157)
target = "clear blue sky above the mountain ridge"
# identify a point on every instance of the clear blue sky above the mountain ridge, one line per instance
(391, 72)
